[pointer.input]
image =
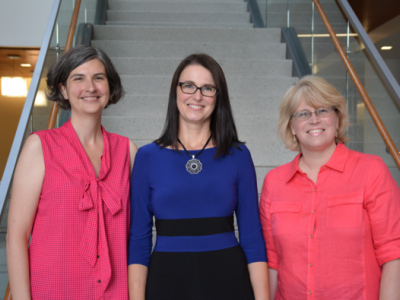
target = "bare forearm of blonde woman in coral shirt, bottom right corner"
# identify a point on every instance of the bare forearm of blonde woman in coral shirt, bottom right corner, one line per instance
(390, 281)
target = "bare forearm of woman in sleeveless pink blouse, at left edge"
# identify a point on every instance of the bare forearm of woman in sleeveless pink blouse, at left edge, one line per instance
(18, 267)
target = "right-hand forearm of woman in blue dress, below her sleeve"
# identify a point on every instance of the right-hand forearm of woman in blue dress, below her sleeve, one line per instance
(259, 280)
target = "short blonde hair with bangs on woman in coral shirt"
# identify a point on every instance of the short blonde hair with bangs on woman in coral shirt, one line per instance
(316, 92)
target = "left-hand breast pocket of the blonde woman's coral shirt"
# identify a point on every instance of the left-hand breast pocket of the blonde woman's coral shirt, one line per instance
(284, 216)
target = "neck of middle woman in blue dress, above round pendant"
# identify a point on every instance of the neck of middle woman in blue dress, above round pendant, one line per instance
(194, 136)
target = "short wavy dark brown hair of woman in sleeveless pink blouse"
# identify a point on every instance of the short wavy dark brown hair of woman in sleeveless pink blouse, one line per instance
(72, 59)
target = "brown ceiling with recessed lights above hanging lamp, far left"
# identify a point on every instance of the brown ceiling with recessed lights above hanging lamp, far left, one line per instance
(12, 67)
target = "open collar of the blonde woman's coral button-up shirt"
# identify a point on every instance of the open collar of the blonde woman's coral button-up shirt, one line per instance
(336, 162)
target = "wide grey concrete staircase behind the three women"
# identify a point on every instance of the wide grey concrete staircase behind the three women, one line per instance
(147, 40)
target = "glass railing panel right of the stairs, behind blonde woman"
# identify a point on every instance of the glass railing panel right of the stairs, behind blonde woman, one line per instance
(325, 61)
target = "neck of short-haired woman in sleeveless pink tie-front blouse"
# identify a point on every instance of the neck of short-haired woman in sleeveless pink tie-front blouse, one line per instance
(88, 128)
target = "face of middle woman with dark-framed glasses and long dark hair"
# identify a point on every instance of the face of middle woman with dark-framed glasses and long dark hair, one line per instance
(195, 108)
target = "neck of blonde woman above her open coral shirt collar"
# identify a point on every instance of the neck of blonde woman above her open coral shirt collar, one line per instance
(314, 160)
